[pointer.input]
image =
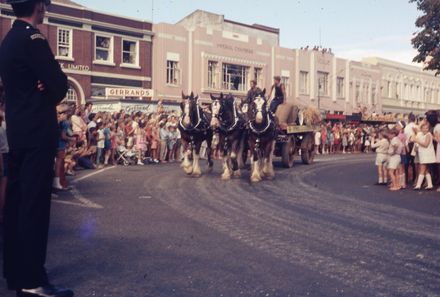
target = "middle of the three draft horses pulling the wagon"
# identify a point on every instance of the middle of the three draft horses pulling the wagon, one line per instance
(230, 125)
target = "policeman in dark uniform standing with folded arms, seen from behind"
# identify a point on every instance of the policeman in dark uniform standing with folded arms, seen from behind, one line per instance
(34, 84)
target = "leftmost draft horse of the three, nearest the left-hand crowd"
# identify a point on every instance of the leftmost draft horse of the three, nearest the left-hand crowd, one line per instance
(194, 128)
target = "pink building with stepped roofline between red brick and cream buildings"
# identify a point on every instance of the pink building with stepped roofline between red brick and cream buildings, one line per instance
(207, 53)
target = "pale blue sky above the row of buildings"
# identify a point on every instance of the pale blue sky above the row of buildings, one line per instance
(353, 29)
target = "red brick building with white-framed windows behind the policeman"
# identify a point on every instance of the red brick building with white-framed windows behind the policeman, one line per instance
(97, 51)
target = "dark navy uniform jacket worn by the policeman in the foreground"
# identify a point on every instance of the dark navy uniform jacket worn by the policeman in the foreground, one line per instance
(25, 59)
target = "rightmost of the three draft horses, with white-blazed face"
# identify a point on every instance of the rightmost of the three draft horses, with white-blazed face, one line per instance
(262, 135)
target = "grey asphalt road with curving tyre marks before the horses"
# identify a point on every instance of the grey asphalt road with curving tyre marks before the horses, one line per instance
(319, 230)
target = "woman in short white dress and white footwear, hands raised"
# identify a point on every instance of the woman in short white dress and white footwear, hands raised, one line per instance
(426, 154)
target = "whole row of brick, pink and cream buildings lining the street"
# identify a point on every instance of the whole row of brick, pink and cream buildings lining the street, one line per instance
(115, 61)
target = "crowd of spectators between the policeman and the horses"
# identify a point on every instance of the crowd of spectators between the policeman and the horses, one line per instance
(90, 140)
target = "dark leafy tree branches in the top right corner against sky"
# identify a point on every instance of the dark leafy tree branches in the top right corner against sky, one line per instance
(427, 40)
